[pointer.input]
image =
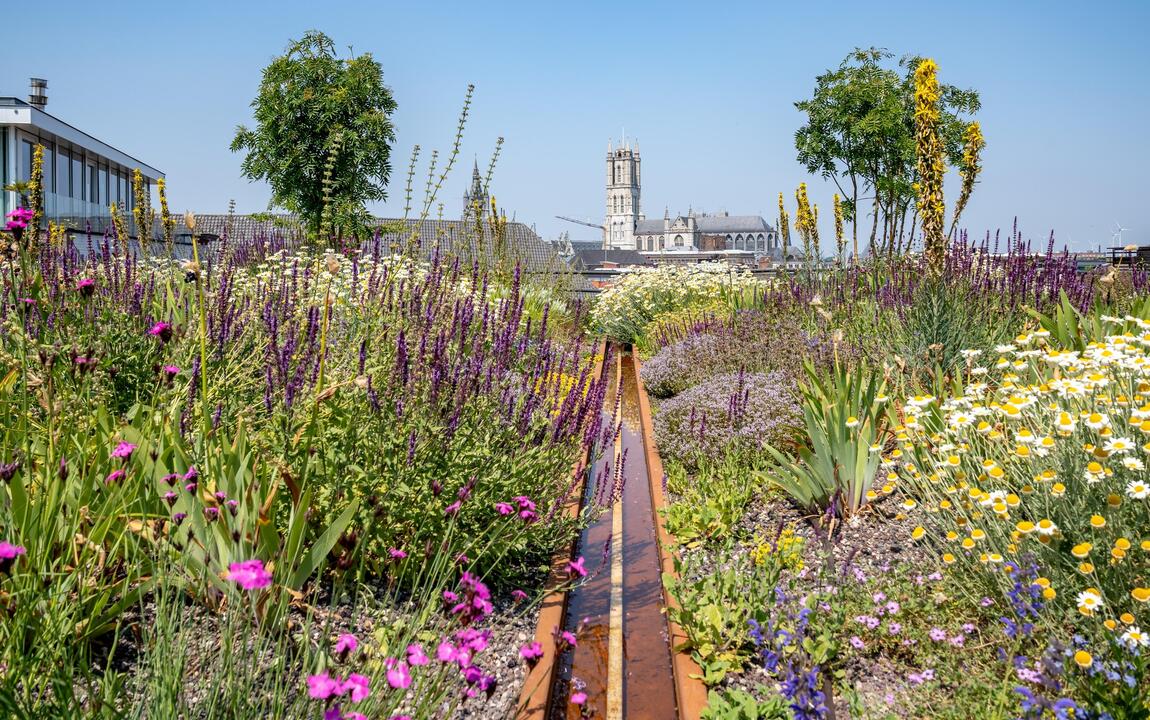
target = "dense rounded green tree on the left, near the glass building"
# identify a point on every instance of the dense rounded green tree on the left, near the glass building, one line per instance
(317, 111)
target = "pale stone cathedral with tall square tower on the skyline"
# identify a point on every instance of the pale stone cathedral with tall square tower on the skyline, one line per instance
(627, 228)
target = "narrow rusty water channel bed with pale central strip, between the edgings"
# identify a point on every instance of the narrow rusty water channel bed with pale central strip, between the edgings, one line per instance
(623, 662)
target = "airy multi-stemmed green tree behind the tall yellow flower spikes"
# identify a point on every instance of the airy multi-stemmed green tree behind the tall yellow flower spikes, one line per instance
(860, 133)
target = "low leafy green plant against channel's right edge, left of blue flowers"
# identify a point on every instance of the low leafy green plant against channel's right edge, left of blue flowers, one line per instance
(716, 610)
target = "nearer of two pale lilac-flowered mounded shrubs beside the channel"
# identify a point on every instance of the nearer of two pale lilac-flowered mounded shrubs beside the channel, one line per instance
(737, 412)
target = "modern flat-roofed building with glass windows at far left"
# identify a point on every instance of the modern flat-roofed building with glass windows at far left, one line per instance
(83, 177)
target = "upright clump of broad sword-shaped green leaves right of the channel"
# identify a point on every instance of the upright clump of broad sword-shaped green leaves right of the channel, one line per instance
(835, 463)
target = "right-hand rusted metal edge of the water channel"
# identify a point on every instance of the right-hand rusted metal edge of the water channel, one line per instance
(691, 693)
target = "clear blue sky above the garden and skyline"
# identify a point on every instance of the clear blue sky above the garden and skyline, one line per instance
(708, 89)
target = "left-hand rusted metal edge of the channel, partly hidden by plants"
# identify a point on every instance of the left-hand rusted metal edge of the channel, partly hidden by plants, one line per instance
(535, 696)
